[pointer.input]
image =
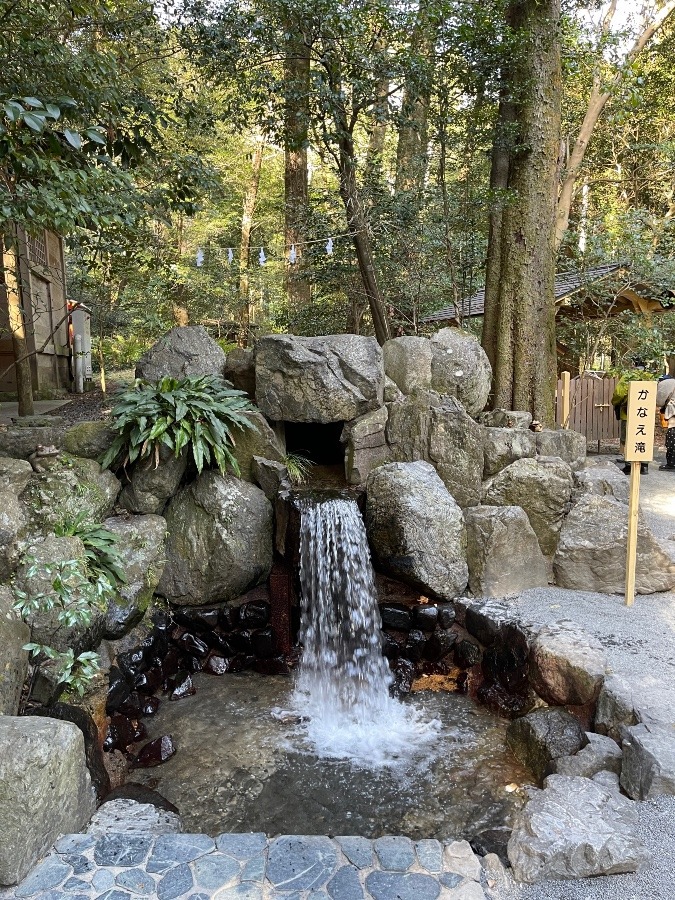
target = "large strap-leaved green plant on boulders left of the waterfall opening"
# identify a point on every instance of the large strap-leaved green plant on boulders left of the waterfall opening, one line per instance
(195, 412)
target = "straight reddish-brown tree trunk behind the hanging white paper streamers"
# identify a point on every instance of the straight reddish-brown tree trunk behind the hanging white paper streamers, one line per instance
(296, 123)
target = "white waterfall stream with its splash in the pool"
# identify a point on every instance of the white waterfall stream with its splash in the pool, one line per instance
(342, 690)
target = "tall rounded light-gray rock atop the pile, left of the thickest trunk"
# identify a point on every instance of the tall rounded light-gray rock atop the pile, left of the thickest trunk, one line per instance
(460, 368)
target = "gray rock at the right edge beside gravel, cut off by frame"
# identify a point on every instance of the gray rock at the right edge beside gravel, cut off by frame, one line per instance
(648, 761)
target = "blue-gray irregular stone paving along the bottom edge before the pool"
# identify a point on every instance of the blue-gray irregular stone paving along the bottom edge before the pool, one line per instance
(123, 866)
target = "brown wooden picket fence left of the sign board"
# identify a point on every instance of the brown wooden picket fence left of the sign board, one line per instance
(590, 408)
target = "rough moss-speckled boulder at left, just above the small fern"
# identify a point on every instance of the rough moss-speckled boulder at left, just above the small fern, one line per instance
(73, 488)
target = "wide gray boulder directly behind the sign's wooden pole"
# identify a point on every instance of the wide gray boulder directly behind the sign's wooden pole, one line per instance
(591, 553)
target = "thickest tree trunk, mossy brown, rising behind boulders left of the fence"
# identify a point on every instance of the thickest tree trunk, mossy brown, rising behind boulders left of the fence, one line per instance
(520, 305)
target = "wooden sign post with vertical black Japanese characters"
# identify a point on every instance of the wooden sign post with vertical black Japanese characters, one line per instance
(639, 449)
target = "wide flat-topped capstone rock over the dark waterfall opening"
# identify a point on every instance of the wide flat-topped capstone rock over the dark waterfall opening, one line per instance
(318, 379)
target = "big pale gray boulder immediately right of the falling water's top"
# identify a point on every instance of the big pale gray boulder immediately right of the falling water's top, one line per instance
(415, 528)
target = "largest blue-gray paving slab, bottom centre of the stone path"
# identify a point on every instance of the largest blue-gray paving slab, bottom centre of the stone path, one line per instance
(301, 863)
